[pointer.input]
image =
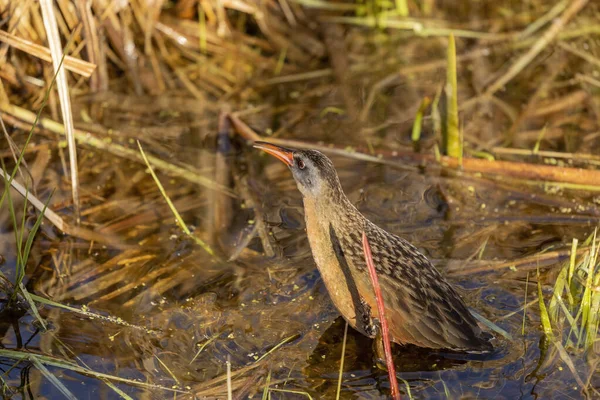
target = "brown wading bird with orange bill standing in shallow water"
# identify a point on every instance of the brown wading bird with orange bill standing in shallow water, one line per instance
(421, 307)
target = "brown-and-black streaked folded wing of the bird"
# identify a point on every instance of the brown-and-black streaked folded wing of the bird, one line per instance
(422, 307)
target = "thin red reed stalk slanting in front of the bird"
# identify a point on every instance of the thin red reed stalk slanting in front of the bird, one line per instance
(382, 320)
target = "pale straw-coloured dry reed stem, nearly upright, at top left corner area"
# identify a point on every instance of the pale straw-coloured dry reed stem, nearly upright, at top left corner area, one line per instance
(62, 85)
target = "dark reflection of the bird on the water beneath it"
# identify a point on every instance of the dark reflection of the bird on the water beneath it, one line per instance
(423, 370)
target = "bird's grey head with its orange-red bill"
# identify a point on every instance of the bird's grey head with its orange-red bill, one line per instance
(313, 171)
